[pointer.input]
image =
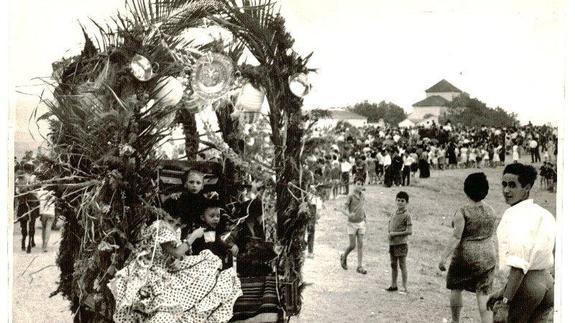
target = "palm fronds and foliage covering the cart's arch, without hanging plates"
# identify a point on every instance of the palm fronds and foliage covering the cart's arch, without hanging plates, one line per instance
(106, 125)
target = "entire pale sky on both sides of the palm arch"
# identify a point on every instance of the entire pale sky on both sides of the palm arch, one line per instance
(507, 53)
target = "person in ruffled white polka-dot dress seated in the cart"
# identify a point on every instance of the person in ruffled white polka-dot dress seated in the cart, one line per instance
(163, 285)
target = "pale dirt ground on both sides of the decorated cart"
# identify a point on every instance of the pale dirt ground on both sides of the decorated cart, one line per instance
(333, 295)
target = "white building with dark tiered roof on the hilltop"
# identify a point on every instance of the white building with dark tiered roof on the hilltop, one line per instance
(428, 110)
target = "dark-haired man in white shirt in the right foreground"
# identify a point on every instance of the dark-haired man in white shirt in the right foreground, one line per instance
(526, 237)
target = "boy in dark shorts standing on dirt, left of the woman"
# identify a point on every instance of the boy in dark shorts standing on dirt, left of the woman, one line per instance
(399, 229)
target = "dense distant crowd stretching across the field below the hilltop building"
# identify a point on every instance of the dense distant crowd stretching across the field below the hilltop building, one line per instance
(392, 156)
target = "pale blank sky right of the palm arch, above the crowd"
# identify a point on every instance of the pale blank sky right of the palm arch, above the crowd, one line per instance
(505, 53)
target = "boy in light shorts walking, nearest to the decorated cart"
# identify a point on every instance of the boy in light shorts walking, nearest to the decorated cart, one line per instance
(354, 209)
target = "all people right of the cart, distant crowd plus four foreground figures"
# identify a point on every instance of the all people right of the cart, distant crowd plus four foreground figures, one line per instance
(525, 236)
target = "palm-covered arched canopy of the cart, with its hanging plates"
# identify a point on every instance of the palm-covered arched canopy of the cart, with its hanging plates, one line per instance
(205, 67)
